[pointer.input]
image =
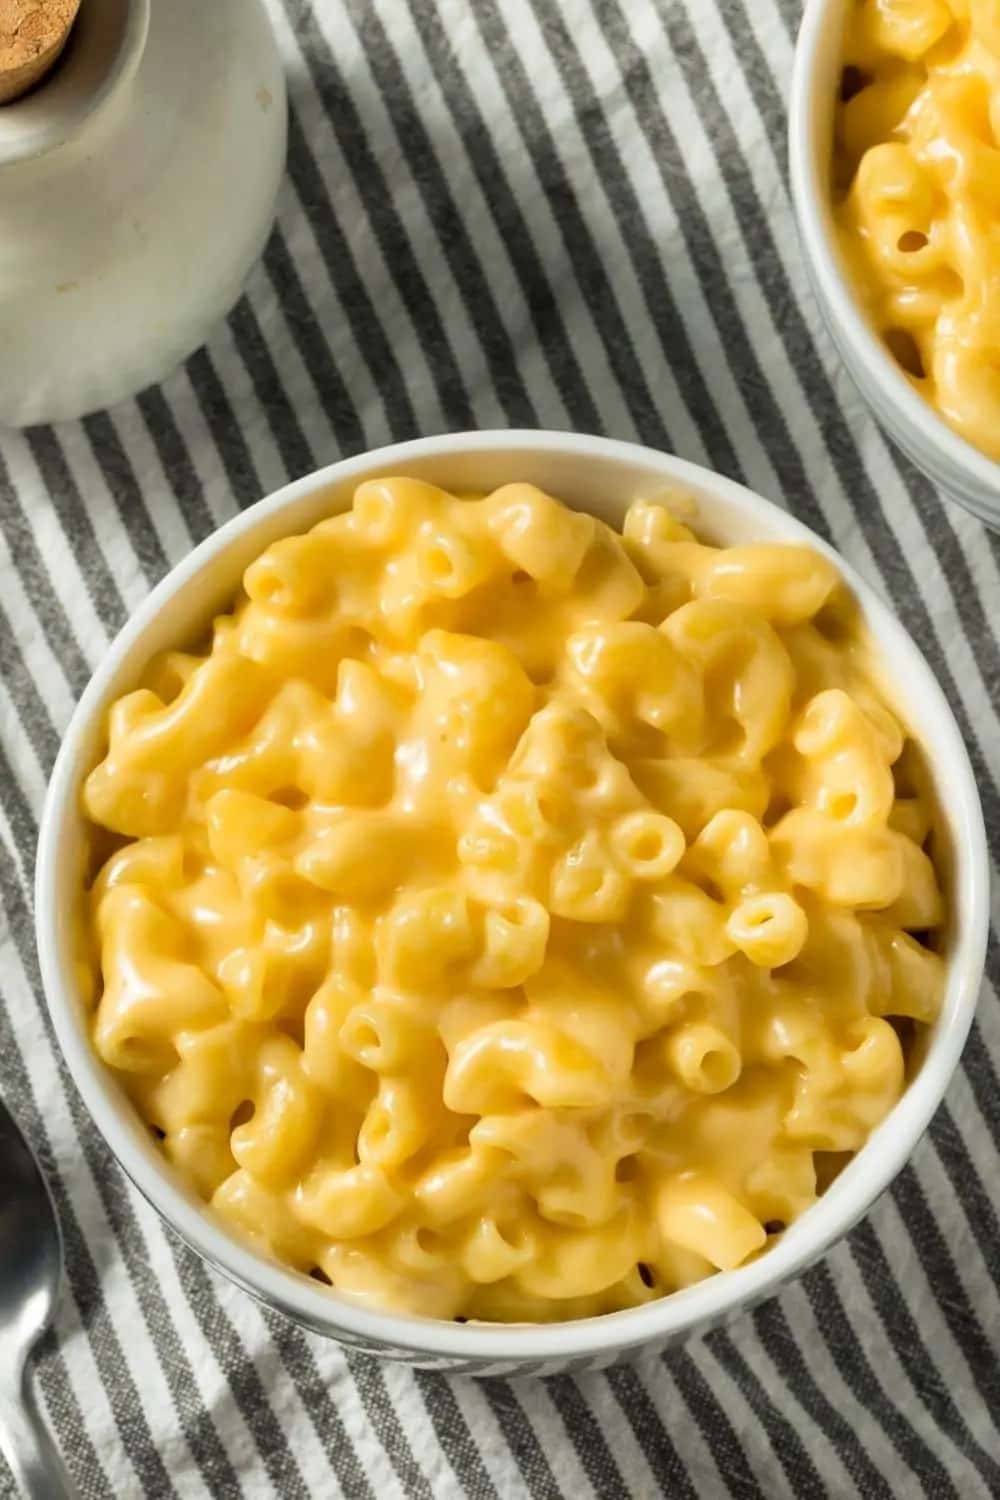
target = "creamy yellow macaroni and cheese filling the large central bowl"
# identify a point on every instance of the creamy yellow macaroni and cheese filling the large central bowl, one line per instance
(509, 916)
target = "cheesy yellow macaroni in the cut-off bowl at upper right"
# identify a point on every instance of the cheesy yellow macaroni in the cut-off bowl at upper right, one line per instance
(918, 161)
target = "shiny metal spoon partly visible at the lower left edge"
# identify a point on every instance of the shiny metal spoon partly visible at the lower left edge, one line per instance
(31, 1273)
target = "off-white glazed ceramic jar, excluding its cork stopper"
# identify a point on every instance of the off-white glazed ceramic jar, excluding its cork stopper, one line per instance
(137, 190)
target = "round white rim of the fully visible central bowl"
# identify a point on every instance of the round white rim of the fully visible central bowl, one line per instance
(849, 1198)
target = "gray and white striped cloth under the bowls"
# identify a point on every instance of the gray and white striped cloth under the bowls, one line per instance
(566, 214)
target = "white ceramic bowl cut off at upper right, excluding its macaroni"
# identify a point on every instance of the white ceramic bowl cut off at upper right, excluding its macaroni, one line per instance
(959, 467)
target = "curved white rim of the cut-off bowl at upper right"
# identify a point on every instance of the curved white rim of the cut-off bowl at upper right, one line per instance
(821, 31)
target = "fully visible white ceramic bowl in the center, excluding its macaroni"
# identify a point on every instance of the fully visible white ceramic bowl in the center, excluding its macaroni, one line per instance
(599, 476)
